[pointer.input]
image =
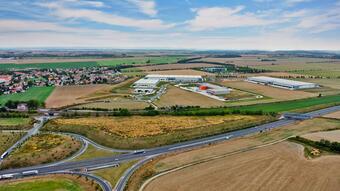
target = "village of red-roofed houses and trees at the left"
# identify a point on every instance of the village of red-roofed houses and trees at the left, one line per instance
(19, 81)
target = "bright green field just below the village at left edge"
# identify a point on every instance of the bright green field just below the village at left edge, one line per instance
(35, 93)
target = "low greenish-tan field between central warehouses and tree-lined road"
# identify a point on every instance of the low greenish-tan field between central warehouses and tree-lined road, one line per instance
(114, 103)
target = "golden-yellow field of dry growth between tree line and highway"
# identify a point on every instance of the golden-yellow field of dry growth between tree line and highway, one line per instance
(137, 126)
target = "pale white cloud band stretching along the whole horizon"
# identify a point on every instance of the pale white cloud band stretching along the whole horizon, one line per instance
(115, 39)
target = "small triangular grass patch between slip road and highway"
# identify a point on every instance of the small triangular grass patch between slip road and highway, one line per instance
(113, 174)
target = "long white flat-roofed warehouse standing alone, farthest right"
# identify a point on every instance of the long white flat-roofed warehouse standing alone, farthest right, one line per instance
(281, 83)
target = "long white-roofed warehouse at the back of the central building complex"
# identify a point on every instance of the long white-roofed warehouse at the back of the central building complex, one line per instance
(175, 78)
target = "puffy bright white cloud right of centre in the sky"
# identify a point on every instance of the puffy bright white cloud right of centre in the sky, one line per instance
(225, 17)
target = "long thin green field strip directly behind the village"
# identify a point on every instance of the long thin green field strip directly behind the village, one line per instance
(63, 65)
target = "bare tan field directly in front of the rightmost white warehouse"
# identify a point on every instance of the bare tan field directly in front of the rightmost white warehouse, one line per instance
(268, 91)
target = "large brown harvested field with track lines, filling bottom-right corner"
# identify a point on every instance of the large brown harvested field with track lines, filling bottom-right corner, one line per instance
(277, 167)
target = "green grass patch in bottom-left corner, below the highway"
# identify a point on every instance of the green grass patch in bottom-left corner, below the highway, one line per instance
(42, 185)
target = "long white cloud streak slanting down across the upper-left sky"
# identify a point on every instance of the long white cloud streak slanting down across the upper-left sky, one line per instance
(60, 11)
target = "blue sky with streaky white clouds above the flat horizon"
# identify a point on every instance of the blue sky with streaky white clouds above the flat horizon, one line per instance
(171, 24)
